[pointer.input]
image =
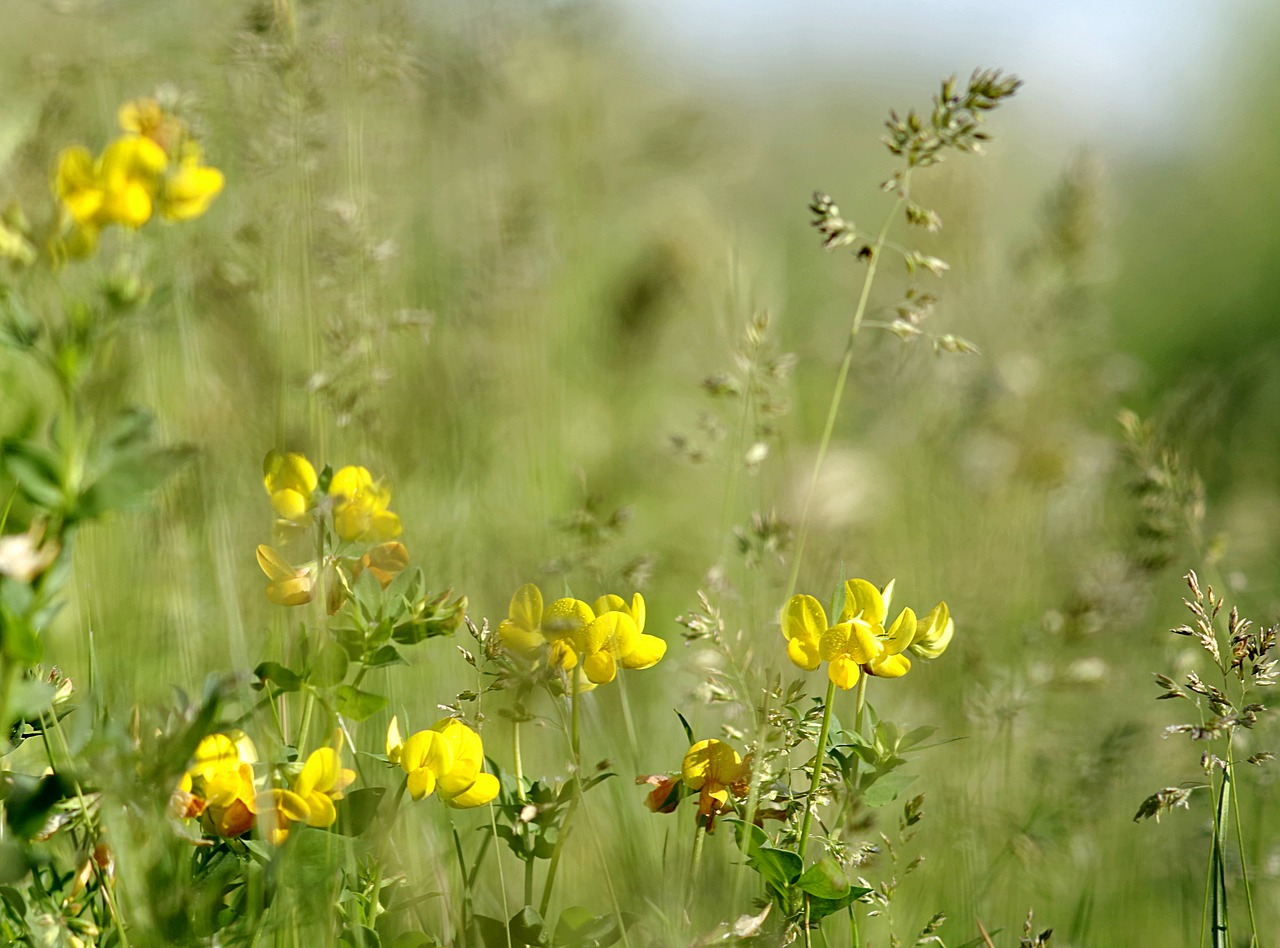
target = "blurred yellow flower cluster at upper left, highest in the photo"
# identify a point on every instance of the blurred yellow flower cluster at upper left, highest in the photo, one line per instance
(154, 168)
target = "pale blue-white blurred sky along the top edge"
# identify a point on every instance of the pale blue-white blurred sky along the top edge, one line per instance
(1124, 72)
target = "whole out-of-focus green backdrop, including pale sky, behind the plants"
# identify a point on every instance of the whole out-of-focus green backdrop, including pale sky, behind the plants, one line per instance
(496, 251)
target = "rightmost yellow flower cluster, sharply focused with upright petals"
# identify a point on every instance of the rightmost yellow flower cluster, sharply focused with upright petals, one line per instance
(860, 643)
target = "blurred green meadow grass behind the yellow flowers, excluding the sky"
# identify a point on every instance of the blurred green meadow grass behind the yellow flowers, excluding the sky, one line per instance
(493, 258)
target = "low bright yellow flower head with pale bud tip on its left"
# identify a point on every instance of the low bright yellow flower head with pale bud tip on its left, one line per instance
(449, 759)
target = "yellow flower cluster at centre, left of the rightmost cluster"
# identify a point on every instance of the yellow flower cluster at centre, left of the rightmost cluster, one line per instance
(591, 642)
